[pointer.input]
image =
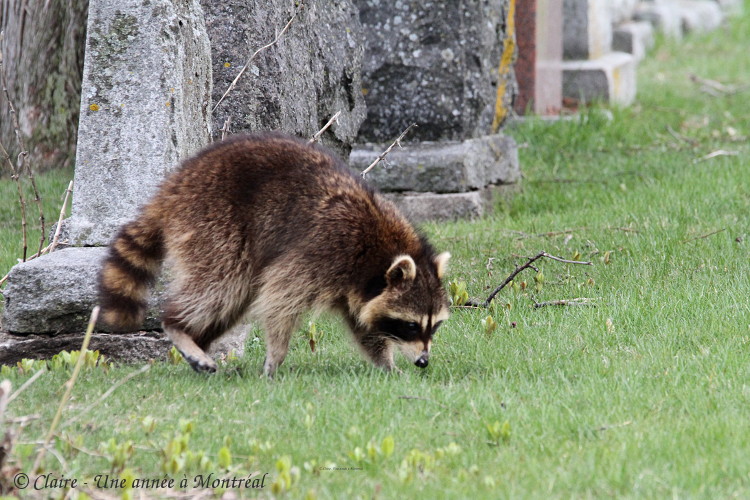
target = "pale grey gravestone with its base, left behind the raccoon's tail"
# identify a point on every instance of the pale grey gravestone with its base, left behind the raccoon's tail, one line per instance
(145, 106)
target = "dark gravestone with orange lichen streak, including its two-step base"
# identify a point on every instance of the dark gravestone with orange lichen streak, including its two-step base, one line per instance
(448, 67)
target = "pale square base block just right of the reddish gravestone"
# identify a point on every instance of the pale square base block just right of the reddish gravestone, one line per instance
(611, 78)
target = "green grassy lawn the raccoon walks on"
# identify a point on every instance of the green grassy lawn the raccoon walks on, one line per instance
(646, 394)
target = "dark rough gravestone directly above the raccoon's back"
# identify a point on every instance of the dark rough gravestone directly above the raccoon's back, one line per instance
(313, 71)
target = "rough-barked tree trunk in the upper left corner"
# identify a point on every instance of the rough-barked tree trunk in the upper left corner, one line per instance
(42, 54)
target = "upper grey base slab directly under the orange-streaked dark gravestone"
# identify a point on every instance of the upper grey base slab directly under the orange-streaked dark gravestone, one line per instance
(442, 167)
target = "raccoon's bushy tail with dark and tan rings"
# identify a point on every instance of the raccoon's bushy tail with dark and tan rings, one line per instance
(133, 262)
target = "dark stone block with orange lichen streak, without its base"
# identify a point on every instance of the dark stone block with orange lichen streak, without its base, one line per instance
(446, 66)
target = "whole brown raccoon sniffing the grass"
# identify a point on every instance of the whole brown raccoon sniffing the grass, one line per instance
(271, 226)
